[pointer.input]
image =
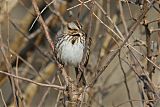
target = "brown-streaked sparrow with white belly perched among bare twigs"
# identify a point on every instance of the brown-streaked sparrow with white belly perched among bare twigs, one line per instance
(70, 43)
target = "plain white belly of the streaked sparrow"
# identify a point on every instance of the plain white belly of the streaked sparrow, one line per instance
(71, 53)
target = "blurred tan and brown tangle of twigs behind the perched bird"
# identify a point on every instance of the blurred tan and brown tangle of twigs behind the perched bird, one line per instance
(131, 79)
